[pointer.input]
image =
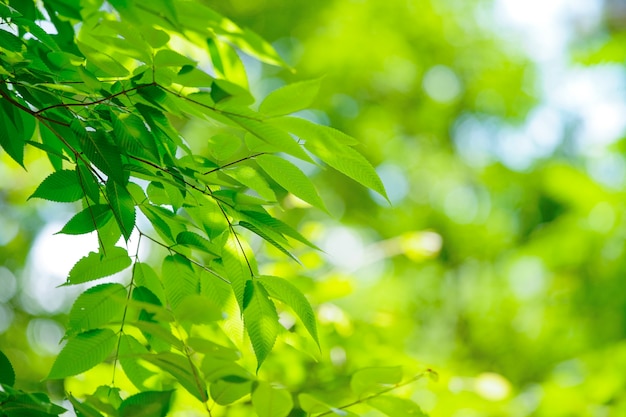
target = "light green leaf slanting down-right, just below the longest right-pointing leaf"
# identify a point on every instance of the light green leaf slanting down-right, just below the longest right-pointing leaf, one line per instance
(291, 178)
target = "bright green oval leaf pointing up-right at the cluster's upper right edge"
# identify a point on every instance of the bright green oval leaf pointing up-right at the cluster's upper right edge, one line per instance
(290, 98)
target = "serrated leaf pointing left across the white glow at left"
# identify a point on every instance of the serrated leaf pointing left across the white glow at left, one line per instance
(95, 265)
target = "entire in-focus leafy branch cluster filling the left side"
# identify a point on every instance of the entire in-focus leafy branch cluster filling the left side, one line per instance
(105, 91)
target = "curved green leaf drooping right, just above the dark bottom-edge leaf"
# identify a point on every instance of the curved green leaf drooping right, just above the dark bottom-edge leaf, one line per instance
(183, 370)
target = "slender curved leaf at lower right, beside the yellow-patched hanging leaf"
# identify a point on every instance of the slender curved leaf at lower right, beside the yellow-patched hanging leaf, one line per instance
(285, 291)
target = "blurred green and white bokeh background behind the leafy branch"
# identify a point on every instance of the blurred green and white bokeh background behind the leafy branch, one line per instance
(497, 128)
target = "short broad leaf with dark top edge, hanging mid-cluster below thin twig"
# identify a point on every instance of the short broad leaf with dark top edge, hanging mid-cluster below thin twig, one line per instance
(179, 280)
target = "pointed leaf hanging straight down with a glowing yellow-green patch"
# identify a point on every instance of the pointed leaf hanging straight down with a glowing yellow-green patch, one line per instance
(260, 319)
